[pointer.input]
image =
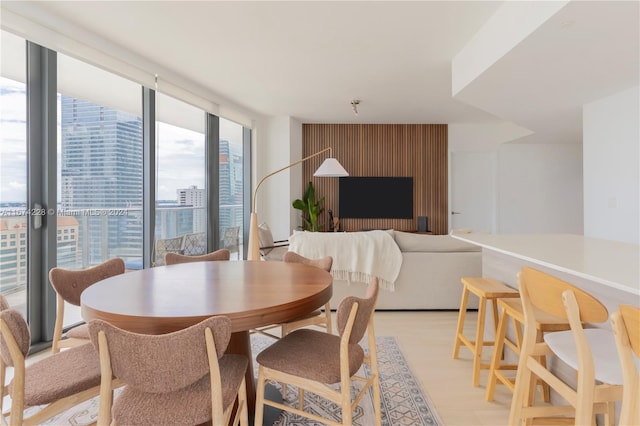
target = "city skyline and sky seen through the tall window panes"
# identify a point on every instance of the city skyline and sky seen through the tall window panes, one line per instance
(100, 182)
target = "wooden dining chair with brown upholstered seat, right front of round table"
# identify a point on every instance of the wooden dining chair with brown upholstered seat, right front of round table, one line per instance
(314, 360)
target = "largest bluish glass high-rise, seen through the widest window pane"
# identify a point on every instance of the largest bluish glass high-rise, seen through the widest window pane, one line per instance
(101, 169)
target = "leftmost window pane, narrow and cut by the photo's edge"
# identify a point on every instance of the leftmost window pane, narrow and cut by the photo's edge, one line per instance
(14, 213)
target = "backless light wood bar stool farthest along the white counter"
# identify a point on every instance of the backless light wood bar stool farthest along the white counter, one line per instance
(486, 289)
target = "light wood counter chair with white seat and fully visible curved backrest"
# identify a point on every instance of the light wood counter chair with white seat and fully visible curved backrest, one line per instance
(589, 351)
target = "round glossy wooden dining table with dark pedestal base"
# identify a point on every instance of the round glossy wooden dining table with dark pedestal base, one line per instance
(169, 298)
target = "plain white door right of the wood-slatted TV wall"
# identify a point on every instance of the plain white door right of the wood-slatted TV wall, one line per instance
(473, 190)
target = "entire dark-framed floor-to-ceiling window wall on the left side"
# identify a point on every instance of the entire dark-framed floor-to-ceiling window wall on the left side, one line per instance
(90, 173)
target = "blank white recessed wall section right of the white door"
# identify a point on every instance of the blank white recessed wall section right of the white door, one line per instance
(539, 188)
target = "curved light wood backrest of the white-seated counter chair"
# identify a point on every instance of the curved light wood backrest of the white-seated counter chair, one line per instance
(545, 292)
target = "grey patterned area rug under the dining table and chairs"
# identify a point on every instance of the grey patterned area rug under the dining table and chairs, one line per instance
(403, 401)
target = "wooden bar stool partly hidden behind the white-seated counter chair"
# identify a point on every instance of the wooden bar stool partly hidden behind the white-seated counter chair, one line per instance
(512, 309)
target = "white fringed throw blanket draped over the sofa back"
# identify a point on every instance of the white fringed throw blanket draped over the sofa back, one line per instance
(357, 256)
